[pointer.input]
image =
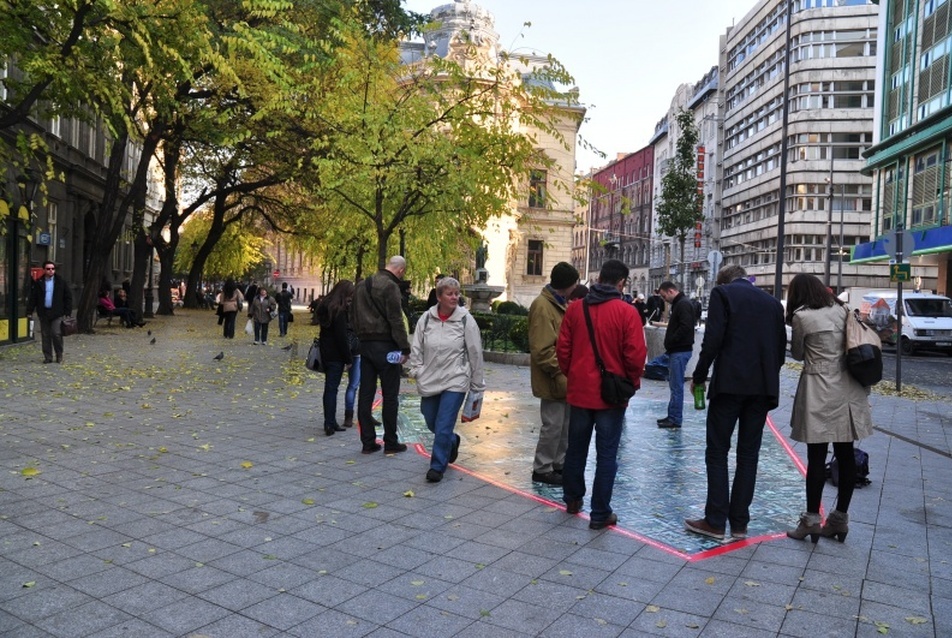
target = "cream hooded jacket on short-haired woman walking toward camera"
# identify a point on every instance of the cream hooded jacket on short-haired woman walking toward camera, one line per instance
(446, 356)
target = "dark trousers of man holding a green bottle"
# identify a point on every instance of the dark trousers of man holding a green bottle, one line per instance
(724, 411)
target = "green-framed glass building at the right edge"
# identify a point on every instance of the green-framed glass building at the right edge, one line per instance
(910, 160)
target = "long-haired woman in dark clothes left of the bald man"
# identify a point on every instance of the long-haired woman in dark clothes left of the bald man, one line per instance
(339, 353)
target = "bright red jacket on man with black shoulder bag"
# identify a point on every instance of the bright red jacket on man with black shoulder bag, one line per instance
(619, 335)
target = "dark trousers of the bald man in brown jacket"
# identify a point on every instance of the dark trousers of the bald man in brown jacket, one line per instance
(374, 365)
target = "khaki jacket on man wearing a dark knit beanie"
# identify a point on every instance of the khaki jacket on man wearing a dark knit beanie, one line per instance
(545, 319)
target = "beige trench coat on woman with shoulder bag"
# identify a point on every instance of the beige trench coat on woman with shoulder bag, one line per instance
(830, 405)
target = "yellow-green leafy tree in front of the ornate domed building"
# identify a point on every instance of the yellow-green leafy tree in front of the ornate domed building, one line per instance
(435, 148)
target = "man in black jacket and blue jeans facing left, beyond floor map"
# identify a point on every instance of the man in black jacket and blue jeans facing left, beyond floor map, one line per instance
(679, 346)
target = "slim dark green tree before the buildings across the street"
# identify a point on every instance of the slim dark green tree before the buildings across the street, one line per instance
(680, 207)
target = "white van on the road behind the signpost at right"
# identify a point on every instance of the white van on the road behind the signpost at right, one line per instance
(926, 318)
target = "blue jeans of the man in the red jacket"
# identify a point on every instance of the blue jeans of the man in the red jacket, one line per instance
(607, 425)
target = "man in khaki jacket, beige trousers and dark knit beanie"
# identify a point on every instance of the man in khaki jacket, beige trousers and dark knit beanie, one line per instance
(548, 381)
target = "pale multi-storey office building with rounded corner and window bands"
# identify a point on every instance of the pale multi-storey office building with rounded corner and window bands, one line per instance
(824, 60)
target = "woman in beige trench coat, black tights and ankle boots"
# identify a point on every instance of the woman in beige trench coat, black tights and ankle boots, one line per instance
(830, 405)
